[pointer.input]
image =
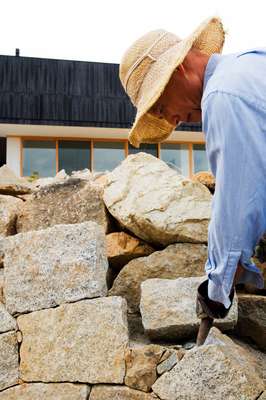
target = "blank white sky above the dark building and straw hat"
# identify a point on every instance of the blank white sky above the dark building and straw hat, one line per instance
(101, 30)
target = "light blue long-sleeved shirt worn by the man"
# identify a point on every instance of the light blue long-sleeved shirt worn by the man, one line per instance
(234, 124)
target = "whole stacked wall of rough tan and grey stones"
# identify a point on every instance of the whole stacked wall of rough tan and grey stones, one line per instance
(92, 311)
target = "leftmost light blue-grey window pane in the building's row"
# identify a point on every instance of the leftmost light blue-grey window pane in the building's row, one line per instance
(39, 158)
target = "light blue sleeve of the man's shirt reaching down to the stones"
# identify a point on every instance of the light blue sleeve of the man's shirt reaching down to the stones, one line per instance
(235, 144)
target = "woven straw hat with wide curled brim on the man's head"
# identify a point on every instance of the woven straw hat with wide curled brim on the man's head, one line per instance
(147, 66)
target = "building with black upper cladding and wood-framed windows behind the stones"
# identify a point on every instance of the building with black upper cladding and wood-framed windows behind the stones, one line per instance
(60, 114)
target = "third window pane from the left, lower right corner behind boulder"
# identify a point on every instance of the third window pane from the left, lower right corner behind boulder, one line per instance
(107, 155)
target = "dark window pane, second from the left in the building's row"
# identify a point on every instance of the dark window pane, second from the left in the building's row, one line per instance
(73, 155)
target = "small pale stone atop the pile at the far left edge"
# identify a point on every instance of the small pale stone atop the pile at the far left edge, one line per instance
(10, 184)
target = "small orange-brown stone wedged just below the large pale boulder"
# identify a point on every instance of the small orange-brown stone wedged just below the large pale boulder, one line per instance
(122, 248)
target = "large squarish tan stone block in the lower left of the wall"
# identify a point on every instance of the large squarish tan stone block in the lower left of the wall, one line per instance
(79, 342)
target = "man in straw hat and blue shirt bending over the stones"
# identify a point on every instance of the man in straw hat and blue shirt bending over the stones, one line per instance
(171, 80)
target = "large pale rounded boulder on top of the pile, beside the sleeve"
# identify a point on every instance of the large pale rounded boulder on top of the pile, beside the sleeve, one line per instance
(156, 203)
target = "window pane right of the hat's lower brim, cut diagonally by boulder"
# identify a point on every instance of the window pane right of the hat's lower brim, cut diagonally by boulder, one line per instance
(176, 156)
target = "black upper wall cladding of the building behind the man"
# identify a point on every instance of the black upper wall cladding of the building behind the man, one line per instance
(62, 92)
